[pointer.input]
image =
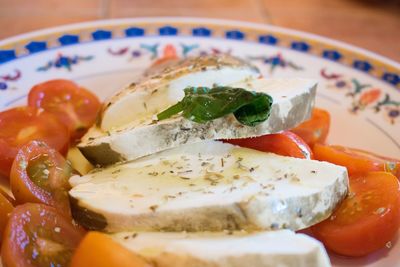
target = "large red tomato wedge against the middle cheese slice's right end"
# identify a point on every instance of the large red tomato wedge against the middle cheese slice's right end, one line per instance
(367, 219)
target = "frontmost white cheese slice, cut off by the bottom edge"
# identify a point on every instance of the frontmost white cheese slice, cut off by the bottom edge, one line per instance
(276, 248)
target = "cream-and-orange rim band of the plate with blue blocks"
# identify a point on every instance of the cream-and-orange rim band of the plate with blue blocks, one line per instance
(387, 69)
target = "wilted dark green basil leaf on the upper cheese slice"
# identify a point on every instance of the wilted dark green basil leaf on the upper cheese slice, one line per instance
(202, 104)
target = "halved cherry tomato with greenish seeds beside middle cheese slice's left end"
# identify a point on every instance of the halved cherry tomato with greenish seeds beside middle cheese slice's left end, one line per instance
(40, 174)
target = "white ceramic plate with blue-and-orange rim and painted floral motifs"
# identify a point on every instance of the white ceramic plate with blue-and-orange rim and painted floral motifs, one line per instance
(359, 88)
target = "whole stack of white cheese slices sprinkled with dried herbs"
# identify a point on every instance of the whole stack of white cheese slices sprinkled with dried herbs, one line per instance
(174, 195)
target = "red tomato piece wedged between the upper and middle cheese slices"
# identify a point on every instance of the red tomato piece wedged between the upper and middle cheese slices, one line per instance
(284, 143)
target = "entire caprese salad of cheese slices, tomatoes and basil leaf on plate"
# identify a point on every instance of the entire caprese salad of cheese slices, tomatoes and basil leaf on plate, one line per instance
(159, 171)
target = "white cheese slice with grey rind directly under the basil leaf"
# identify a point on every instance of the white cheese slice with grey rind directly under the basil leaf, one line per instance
(293, 102)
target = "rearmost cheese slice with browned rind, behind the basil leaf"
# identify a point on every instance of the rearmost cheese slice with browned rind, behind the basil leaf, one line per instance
(139, 102)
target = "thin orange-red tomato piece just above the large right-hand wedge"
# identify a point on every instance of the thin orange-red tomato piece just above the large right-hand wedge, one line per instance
(355, 160)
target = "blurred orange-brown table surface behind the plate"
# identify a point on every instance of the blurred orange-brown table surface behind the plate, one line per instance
(371, 24)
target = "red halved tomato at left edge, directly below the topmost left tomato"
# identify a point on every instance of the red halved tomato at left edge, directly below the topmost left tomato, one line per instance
(20, 125)
